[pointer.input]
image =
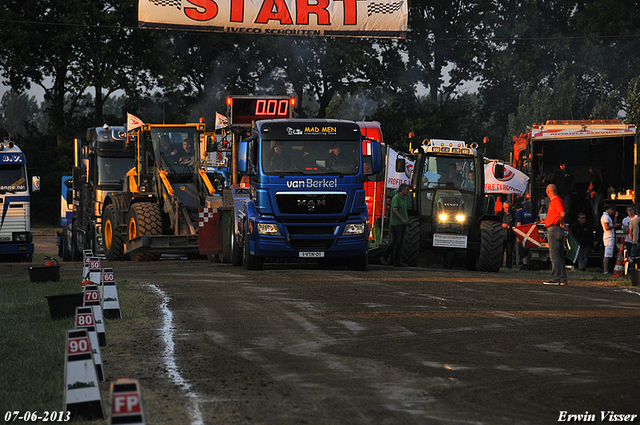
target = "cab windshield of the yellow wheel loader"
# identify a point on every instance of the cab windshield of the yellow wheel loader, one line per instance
(175, 148)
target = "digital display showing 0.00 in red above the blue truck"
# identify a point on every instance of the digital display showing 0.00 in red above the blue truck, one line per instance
(247, 109)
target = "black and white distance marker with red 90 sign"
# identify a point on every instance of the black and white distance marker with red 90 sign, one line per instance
(81, 389)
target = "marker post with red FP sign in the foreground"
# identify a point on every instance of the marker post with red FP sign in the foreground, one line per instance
(126, 402)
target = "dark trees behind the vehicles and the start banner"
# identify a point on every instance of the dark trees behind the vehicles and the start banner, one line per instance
(528, 61)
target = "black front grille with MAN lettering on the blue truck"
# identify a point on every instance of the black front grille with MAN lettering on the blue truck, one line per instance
(311, 203)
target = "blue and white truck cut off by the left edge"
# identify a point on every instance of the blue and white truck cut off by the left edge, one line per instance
(16, 240)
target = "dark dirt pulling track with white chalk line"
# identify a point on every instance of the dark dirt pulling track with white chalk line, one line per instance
(303, 344)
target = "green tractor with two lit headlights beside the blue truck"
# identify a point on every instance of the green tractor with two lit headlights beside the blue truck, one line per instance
(449, 209)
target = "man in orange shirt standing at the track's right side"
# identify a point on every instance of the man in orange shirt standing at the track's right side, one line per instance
(555, 235)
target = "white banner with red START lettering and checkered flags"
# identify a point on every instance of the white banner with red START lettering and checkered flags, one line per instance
(331, 18)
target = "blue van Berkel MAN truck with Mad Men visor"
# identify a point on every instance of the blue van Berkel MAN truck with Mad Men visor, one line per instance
(305, 196)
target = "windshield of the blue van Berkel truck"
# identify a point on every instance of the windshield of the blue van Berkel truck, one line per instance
(305, 157)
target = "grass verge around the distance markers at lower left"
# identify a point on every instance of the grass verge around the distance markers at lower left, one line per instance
(32, 345)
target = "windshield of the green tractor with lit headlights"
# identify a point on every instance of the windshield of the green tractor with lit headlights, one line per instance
(449, 172)
